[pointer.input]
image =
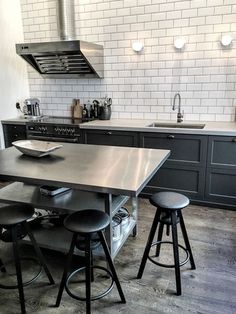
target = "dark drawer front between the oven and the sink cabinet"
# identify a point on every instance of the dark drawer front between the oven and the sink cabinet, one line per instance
(112, 138)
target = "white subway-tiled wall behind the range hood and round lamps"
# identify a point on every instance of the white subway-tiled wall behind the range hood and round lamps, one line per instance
(143, 85)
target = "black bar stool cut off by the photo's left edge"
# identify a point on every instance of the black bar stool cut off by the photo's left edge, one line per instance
(13, 218)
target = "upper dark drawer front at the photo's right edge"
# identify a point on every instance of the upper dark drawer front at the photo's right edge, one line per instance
(222, 152)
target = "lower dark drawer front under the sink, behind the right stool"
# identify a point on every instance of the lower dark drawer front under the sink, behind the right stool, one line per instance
(187, 180)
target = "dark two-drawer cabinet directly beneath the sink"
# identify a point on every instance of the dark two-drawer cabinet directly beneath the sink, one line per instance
(184, 171)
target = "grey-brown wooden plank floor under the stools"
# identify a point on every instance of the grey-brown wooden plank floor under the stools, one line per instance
(211, 288)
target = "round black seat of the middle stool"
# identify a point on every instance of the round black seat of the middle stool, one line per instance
(87, 221)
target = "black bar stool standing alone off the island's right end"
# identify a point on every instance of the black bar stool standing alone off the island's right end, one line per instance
(168, 212)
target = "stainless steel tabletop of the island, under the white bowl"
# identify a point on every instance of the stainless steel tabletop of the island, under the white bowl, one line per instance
(108, 169)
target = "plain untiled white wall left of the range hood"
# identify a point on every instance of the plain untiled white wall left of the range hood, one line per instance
(13, 72)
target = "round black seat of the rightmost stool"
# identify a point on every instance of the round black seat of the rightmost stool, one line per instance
(169, 200)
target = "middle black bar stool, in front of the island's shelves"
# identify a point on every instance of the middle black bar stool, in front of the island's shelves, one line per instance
(86, 223)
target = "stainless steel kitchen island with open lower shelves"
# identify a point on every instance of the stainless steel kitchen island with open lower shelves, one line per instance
(110, 174)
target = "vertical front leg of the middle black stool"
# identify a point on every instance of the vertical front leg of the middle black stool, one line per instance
(88, 273)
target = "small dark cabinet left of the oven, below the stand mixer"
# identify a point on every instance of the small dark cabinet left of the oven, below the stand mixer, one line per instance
(13, 132)
